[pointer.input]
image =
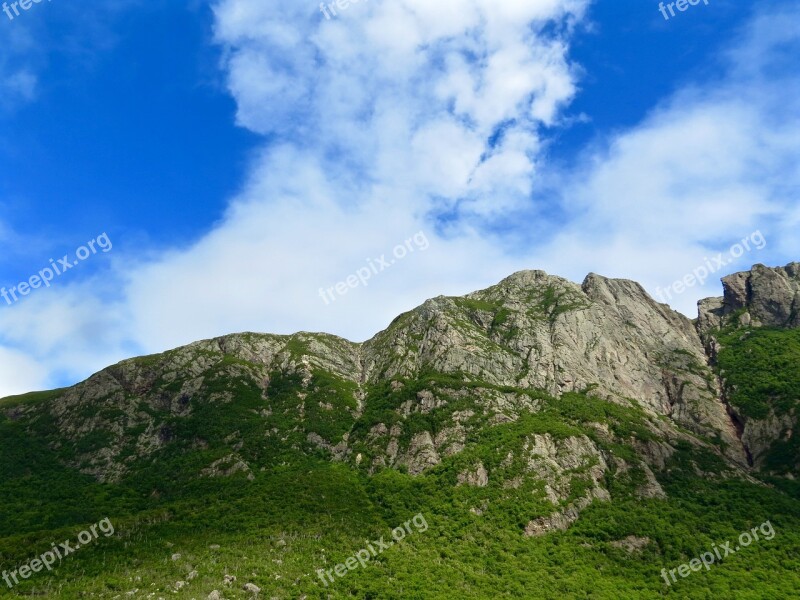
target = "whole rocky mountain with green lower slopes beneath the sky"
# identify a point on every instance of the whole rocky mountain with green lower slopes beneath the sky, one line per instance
(556, 439)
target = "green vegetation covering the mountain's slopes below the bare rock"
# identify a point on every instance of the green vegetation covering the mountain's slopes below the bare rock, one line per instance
(288, 509)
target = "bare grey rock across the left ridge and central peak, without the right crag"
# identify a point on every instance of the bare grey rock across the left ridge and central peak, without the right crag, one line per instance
(532, 330)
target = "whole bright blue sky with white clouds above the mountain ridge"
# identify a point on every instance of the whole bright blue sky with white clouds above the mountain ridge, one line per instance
(241, 155)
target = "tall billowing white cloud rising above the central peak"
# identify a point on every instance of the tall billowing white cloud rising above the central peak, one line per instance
(377, 118)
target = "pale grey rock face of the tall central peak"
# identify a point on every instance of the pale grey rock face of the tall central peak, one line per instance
(538, 331)
